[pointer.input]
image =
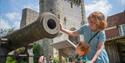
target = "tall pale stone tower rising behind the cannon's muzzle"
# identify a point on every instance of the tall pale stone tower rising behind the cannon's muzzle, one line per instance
(69, 15)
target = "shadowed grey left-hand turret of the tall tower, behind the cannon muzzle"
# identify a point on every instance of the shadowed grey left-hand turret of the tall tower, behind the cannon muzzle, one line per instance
(53, 7)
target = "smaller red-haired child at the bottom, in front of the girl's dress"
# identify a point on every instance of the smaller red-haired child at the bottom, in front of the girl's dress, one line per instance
(82, 49)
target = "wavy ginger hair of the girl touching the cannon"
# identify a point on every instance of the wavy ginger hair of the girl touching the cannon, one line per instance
(100, 18)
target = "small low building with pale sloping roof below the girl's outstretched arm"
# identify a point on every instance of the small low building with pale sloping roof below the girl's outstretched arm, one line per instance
(65, 47)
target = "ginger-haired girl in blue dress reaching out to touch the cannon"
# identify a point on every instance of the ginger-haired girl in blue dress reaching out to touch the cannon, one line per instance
(97, 23)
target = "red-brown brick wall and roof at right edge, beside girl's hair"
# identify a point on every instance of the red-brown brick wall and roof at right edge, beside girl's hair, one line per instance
(114, 25)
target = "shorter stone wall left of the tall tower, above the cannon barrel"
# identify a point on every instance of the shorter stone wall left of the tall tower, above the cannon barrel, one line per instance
(28, 16)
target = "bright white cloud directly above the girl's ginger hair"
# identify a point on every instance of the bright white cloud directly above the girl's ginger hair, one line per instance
(98, 5)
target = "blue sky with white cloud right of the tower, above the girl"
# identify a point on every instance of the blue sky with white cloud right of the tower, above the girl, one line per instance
(108, 7)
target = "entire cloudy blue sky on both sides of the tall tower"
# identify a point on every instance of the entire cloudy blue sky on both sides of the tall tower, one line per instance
(11, 10)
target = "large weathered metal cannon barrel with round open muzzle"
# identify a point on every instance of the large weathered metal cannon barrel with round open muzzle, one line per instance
(46, 26)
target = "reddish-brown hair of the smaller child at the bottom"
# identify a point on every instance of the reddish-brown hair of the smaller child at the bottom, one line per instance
(83, 46)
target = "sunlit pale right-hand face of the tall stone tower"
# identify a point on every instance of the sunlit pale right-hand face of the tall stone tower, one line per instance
(70, 17)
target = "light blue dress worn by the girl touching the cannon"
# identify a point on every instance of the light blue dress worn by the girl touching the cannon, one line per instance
(100, 37)
